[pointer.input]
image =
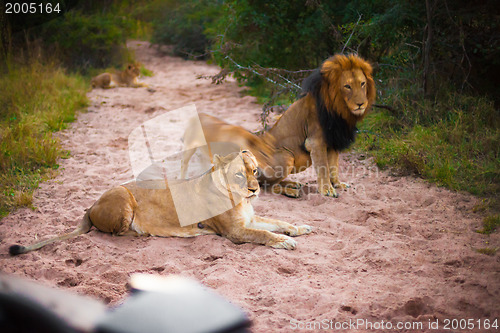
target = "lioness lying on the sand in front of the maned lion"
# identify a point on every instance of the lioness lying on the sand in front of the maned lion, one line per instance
(147, 208)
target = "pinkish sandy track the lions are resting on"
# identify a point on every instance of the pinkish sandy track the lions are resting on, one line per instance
(388, 249)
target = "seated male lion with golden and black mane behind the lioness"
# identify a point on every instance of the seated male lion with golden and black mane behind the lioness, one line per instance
(314, 129)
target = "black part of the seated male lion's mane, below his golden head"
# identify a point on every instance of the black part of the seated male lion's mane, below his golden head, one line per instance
(337, 133)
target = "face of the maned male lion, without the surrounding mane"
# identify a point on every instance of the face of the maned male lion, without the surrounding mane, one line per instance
(353, 89)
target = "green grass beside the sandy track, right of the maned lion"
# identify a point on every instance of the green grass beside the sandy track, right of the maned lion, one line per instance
(454, 142)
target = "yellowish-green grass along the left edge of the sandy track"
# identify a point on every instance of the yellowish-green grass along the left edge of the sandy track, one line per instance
(38, 100)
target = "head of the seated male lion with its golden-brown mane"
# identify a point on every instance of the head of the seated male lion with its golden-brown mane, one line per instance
(348, 86)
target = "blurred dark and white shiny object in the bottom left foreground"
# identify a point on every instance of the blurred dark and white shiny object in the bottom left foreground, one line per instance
(156, 305)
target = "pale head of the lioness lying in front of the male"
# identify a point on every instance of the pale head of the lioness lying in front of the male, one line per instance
(238, 174)
